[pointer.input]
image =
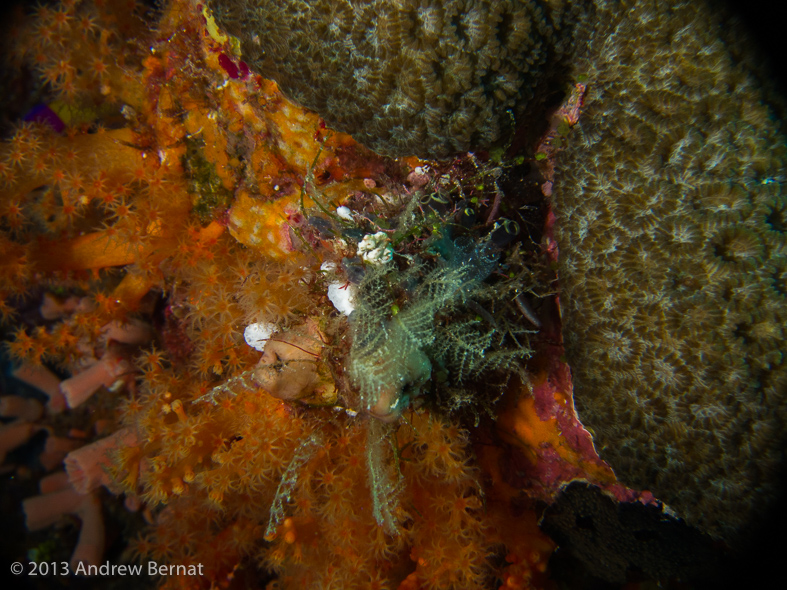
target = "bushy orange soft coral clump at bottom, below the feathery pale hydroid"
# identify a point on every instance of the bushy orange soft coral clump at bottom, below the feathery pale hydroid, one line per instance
(219, 469)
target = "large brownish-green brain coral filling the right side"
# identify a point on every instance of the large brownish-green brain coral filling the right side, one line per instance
(673, 237)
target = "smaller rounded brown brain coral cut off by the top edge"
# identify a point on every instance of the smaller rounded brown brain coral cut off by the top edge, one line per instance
(407, 77)
